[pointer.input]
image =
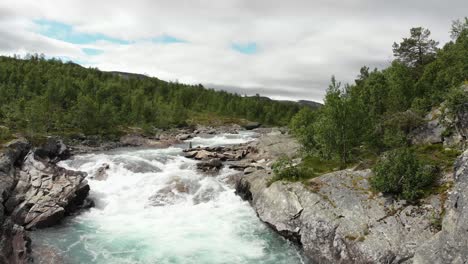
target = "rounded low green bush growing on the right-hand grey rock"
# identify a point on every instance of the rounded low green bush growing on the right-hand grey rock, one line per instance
(400, 173)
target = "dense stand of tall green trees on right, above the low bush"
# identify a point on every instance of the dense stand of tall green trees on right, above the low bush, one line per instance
(383, 107)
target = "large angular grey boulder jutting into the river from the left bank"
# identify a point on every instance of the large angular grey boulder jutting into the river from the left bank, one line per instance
(45, 193)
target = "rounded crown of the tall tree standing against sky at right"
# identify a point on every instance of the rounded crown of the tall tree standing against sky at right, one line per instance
(417, 50)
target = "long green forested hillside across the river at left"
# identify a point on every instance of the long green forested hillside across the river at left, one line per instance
(49, 96)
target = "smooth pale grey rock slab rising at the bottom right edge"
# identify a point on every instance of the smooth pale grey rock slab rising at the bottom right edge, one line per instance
(451, 244)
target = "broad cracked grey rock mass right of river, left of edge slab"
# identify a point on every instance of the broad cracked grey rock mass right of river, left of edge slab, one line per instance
(336, 218)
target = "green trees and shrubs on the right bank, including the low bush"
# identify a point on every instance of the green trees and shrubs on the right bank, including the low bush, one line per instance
(379, 114)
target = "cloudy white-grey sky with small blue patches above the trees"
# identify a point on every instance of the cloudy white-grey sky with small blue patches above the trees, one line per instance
(281, 49)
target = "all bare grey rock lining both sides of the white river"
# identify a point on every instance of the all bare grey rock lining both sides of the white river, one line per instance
(334, 218)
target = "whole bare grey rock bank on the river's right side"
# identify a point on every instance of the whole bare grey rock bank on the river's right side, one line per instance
(338, 218)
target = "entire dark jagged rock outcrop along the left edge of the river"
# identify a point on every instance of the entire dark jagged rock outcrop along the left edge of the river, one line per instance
(35, 193)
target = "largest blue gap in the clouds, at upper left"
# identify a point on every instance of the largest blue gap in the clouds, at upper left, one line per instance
(65, 32)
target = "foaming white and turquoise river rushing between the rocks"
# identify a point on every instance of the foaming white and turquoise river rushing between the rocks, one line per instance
(154, 207)
